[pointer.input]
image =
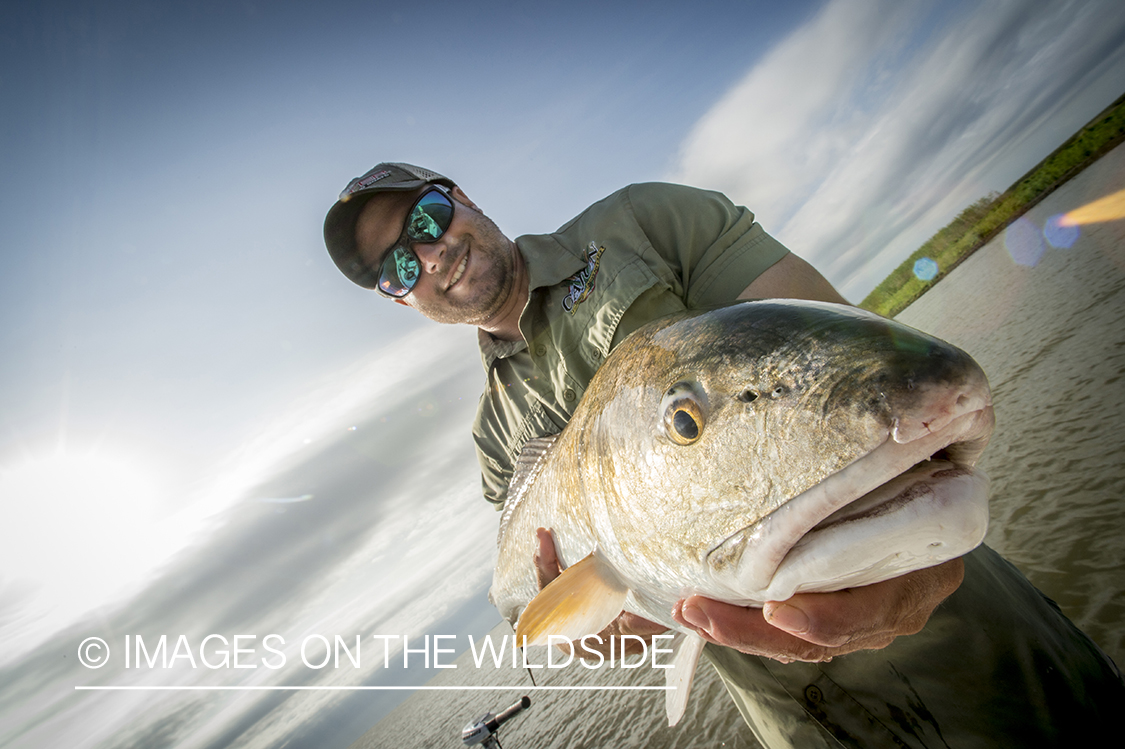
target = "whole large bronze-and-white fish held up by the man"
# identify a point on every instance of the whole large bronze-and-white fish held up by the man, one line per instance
(746, 454)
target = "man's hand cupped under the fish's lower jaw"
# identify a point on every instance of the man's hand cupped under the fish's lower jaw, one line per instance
(816, 627)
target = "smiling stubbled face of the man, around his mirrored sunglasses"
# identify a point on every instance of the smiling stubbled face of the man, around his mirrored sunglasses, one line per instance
(466, 276)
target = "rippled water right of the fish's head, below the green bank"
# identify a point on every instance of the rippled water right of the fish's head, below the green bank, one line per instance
(1051, 337)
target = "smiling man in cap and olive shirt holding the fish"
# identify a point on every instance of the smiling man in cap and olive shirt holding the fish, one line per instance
(550, 309)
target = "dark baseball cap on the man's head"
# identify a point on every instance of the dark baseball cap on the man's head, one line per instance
(340, 223)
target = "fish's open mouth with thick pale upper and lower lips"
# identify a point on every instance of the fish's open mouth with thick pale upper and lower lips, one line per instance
(913, 502)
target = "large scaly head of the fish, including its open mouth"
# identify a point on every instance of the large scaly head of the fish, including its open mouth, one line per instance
(726, 440)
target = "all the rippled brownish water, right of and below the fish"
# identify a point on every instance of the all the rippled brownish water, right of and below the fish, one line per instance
(1049, 327)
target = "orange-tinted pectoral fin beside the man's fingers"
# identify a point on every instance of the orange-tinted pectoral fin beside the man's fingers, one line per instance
(581, 601)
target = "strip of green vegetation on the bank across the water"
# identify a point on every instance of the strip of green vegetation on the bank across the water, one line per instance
(982, 222)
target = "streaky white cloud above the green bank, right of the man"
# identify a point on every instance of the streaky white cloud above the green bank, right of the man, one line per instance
(872, 125)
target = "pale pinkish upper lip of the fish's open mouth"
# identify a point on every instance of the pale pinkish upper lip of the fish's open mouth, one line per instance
(755, 553)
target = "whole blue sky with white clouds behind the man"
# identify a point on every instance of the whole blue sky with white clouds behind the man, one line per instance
(205, 429)
